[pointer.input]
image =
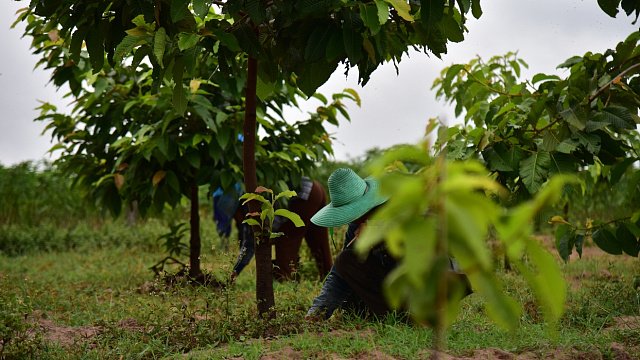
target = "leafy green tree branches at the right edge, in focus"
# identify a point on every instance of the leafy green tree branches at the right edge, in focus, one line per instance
(528, 131)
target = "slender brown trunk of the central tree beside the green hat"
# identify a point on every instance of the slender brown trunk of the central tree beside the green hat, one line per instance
(264, 276)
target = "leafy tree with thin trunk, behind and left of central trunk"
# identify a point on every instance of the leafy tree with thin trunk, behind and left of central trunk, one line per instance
(127, 142)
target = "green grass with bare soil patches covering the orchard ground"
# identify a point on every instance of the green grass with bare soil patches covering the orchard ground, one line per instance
(110, 288)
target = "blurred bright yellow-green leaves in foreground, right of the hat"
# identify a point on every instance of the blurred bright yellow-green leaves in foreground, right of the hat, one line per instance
(452, 216)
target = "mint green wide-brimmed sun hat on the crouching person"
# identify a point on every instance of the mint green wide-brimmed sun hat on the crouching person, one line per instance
(351, 197)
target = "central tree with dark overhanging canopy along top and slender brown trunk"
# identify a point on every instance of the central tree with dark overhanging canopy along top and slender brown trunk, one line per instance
(284, 42)
